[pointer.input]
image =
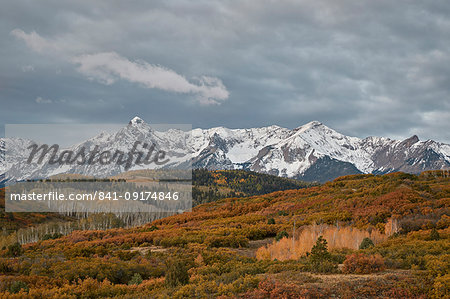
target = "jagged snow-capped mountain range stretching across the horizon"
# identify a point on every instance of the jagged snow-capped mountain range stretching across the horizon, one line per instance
(311, 152)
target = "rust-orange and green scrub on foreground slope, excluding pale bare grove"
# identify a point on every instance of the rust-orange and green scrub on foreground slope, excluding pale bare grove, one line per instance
(211, 242)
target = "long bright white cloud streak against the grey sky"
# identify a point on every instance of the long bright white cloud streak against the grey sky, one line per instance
(108, 67)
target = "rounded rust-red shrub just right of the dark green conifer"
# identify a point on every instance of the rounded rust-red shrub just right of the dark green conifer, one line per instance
(359, 263)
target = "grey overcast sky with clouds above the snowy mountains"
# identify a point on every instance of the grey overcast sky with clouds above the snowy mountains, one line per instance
(361, 67)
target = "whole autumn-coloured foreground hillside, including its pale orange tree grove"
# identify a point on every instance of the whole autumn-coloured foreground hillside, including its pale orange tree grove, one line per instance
(359, 236)
